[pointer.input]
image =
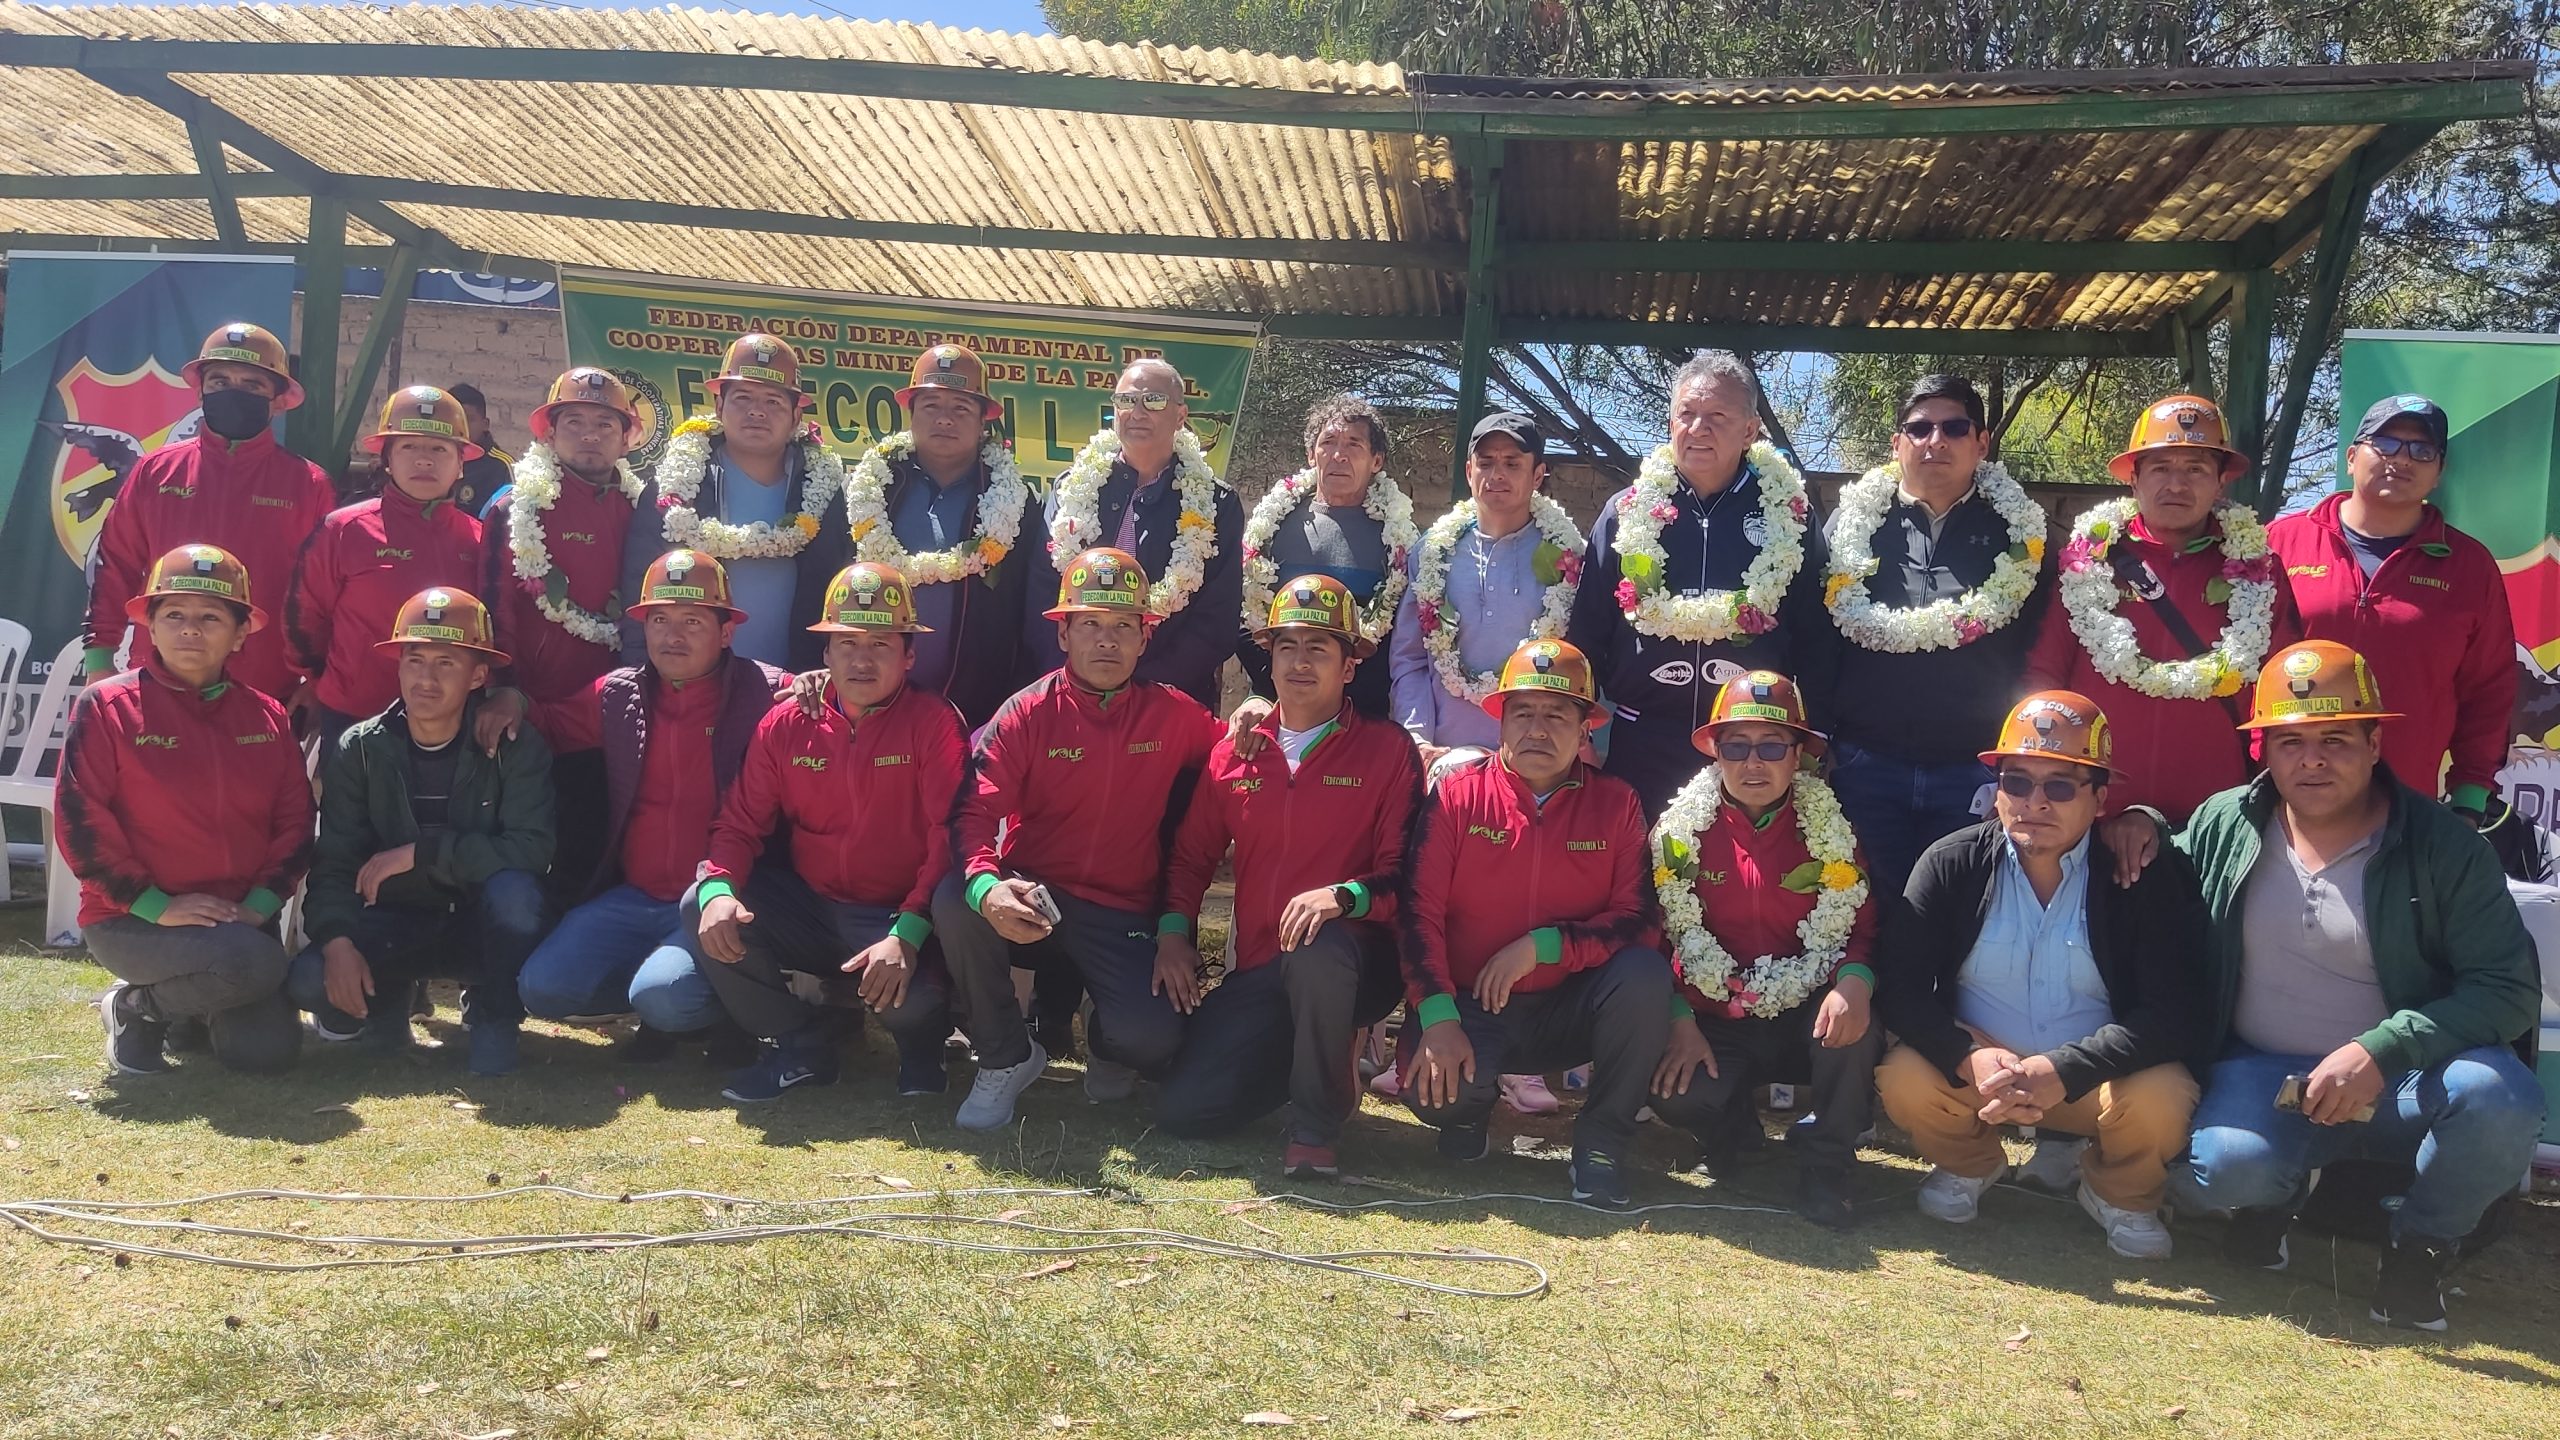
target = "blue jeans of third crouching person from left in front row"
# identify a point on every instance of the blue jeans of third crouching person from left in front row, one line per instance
(608, 954)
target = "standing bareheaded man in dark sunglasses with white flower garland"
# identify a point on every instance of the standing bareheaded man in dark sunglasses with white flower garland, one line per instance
(1937, 593)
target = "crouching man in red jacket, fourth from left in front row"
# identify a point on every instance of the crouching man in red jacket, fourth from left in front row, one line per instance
(861, 790)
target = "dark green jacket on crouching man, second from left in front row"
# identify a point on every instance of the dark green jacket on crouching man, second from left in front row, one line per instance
(500, 821)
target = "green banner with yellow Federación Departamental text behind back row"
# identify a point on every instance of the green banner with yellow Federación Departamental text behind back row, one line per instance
(1051, 370)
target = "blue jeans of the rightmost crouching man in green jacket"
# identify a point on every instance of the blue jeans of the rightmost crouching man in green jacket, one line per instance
(2467, 1124)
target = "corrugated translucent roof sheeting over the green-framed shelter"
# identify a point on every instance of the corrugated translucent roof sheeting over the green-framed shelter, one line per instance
(938, 163)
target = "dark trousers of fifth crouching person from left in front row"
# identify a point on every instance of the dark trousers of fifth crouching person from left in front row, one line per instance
(1110, 949)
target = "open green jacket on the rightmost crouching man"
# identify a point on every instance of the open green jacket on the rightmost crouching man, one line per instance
(2449, 947)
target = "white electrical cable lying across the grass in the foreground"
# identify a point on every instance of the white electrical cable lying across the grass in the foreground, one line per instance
(874, 1226)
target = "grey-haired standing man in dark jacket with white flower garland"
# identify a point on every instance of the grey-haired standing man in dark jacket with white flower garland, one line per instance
(1711, 565)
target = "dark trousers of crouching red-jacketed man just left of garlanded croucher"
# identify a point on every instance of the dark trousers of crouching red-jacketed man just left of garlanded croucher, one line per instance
(1614, 1019)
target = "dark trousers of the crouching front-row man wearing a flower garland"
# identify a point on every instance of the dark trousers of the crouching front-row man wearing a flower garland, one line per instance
(1752, 1052)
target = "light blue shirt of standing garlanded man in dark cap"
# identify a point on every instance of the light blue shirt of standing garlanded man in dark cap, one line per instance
(1494, 596)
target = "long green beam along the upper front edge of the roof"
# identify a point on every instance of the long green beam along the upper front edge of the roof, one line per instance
(2464, 94)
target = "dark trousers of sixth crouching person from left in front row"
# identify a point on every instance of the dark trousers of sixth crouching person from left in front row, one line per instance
(1281, 1034)
